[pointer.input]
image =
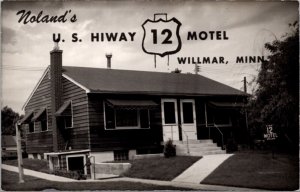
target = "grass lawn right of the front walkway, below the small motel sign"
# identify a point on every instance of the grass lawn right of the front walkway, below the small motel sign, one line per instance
(256, 170)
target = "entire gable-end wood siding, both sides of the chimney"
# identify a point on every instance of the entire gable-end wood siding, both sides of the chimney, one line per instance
(76, 137)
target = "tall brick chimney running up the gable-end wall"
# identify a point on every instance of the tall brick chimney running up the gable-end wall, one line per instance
(56, 92)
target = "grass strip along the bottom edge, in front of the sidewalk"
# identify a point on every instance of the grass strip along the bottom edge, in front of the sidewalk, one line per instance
(10, 183)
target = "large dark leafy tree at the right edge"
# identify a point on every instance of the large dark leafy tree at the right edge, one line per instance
(276, 99)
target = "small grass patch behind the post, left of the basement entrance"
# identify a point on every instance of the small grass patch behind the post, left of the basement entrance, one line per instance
(33, 164)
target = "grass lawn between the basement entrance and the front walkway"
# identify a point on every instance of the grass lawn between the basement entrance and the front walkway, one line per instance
(160, 168)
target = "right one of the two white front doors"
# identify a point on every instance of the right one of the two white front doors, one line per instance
(188, 119)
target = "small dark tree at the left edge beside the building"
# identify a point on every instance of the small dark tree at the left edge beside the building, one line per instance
(8, 120)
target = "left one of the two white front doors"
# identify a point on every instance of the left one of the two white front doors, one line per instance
(169, 119)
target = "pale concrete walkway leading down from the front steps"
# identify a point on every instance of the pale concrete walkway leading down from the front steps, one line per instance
(202, 168)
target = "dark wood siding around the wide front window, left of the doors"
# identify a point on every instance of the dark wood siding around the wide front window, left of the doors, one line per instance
(106, 140)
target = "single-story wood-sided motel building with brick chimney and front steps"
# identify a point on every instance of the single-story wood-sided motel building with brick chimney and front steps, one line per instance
(75, 113)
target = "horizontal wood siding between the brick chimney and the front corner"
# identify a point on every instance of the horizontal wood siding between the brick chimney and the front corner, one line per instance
(78, 136)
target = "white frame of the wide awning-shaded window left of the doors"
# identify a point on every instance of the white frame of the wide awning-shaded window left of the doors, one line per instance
(125, 127)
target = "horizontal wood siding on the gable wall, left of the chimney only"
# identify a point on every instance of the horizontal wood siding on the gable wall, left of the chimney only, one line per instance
(40, 142)
